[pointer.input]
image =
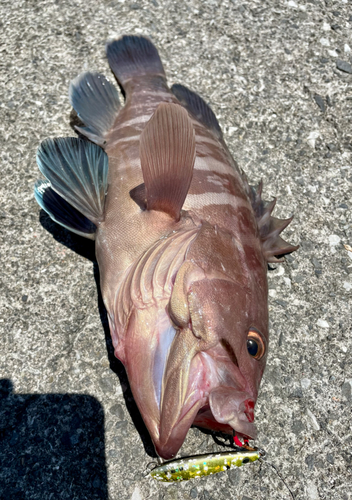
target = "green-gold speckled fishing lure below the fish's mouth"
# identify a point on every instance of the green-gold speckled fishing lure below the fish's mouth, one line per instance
(183, 469)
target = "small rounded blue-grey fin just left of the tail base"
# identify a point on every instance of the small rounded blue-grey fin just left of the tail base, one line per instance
(96, 102)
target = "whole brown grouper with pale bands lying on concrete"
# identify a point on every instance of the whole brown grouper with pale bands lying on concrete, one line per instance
(182, 243)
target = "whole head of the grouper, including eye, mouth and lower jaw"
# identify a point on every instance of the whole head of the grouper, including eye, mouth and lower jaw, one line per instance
(197, 356)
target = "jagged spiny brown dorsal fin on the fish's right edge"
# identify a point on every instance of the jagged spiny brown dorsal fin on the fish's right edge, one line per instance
(269, 227)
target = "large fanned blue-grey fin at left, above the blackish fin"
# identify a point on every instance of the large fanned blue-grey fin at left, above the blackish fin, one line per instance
(77, 171)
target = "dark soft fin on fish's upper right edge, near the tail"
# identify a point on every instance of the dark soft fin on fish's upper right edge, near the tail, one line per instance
(197, 107)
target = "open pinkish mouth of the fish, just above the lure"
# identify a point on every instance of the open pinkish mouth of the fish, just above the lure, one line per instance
(215, 399)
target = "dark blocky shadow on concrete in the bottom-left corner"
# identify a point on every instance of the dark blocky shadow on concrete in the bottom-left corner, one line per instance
(51, 446)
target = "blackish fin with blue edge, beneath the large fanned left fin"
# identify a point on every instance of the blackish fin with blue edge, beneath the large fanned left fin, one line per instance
(62, 212)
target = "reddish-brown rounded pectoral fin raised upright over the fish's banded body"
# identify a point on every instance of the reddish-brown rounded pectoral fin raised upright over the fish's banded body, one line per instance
(167, 151)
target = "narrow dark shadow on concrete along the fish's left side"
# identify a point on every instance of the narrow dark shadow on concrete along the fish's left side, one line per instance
(86, 248)
